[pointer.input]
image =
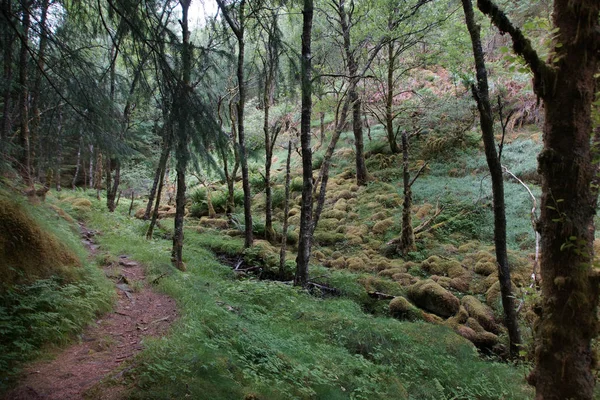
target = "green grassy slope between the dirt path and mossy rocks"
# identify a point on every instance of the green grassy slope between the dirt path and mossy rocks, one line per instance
(237, 338)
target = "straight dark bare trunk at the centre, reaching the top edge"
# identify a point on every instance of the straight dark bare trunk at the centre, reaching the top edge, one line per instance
(305, 240)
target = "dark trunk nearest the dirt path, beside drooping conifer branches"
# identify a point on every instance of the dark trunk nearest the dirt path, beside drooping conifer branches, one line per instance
(182, 152)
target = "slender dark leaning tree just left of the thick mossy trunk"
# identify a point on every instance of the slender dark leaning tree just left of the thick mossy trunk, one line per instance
(486, 120)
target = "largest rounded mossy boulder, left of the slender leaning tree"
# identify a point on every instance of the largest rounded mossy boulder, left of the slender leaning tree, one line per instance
(431, 297)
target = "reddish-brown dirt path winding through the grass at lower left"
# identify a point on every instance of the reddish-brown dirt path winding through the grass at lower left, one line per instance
(105, 344)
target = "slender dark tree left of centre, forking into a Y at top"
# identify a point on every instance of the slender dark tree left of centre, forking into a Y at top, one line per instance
(238, 28)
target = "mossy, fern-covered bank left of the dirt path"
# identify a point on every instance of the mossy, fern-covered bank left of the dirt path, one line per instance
(51, 301)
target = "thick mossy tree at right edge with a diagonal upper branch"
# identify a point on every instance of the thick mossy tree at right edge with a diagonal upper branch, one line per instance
(567, 163)
